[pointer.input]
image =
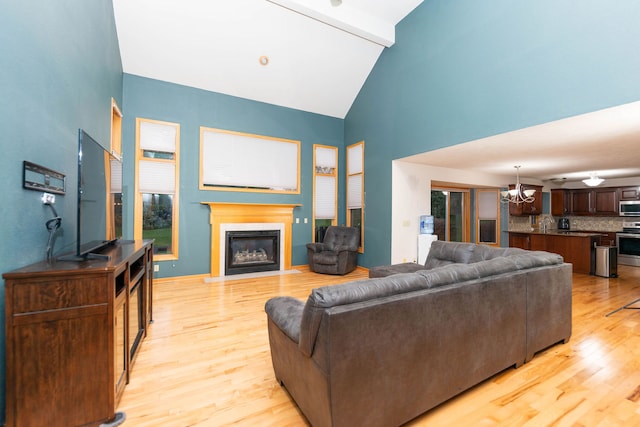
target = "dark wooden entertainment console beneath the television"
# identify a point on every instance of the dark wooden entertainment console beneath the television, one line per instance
(73, 331)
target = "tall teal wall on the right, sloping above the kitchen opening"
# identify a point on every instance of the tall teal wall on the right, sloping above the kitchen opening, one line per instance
(462, 70)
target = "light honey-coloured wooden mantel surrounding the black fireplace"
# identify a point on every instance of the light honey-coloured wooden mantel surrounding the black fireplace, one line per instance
(234, 213)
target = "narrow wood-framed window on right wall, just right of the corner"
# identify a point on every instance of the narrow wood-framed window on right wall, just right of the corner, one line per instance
(355, 189)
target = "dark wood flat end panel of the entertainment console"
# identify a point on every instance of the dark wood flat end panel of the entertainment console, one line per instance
(58, 352)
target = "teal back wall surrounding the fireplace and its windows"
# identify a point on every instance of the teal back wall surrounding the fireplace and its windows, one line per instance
(193, 108)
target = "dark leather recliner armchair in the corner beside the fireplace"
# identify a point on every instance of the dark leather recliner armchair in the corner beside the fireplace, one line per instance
(337, 254)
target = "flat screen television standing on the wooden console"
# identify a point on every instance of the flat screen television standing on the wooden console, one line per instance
(99, 199)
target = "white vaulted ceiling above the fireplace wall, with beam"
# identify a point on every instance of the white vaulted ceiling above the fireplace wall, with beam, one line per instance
(318, 55)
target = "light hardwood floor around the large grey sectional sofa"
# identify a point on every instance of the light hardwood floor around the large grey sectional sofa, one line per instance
(206, 361)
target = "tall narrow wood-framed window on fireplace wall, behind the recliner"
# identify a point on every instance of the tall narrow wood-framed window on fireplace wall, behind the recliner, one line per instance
(325, 189)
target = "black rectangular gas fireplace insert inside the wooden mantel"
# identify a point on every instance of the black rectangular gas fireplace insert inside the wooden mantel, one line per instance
(251, 251)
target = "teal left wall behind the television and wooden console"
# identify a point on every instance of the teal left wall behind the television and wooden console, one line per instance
(59, 68)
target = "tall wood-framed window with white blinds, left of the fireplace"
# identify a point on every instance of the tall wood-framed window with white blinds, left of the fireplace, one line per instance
(157, 183)
